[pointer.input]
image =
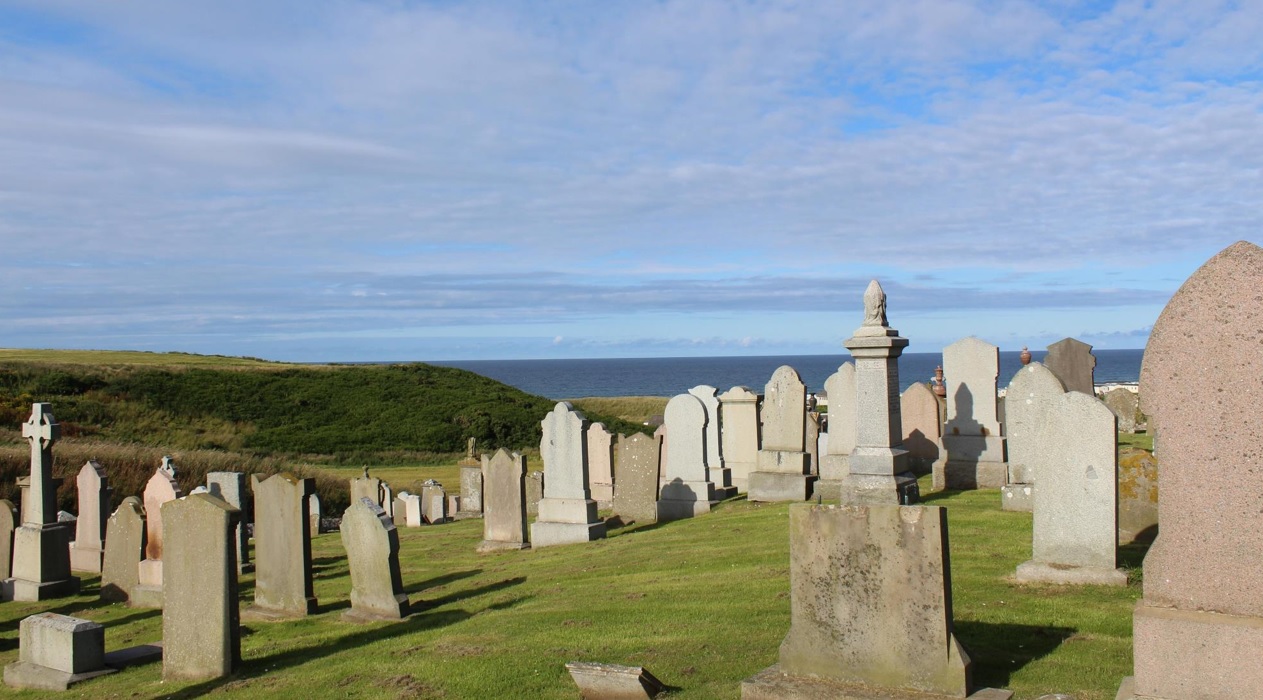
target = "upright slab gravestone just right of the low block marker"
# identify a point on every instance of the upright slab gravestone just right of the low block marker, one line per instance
(200, 619)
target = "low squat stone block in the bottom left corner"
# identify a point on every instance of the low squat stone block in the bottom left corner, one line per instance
(57, 653)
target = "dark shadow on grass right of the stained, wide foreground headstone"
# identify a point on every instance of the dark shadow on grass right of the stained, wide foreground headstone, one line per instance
(1001, 649)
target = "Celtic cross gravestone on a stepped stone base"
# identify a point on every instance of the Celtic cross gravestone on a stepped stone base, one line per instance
(41, 565)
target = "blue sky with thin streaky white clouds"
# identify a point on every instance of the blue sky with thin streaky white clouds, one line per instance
(330, 181)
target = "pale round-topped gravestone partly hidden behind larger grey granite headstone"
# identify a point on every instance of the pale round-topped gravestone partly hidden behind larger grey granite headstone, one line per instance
(1034, 391)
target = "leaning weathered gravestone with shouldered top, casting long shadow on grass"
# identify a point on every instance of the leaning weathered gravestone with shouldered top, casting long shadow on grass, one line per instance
(372, 546)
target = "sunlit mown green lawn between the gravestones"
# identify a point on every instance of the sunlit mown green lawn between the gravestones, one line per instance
(702, 603)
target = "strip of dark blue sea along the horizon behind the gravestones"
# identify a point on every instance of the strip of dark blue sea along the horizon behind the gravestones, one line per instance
(667, 377)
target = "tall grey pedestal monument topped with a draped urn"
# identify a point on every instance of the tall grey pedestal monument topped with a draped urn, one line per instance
(880, 464)
